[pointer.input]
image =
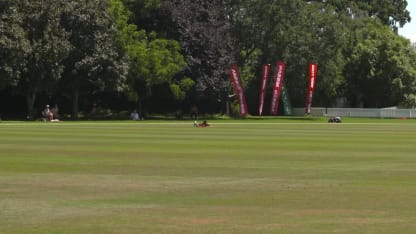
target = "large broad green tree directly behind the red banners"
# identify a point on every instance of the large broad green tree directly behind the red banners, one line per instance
(297, 33)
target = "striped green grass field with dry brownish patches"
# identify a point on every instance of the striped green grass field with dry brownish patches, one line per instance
(246, 176)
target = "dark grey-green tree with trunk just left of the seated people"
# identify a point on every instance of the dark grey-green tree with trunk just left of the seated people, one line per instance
(47, 47)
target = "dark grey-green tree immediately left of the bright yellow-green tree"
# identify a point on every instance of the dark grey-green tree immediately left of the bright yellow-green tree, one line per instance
(95, 62)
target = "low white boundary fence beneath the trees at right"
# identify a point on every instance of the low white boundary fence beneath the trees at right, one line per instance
(358, 112)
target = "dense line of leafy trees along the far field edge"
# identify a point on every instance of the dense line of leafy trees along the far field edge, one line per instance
(161, 56)
